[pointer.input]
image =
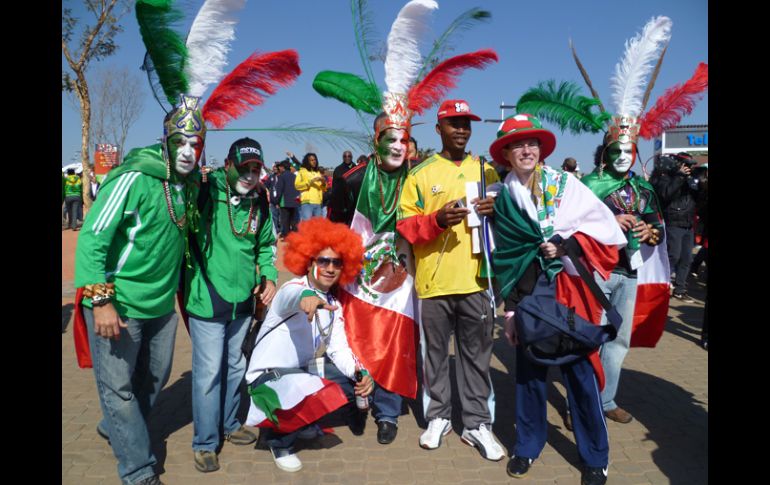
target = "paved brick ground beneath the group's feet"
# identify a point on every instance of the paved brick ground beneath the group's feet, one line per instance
(666, 389)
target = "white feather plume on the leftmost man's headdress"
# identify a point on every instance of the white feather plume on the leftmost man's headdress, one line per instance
(209, 42)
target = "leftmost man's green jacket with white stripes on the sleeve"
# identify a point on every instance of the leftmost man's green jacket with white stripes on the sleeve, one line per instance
(128, 236)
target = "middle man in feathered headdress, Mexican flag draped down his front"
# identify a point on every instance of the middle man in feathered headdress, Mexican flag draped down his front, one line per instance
(380, 312)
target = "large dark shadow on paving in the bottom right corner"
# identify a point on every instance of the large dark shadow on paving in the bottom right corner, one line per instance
(676, 422)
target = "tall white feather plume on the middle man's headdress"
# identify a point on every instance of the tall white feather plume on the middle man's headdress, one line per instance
(403, 60)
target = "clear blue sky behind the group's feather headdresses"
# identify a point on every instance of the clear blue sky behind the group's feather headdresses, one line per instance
(531, 39)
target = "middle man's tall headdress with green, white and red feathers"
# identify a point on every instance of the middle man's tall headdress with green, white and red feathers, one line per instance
(413, 83)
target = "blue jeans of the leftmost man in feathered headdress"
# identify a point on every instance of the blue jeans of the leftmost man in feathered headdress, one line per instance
(130, 372)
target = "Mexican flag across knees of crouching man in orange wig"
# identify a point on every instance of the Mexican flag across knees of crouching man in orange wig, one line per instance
(293, 401)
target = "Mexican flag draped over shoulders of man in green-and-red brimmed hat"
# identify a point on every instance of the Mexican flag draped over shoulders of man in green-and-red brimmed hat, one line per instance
(577, 212)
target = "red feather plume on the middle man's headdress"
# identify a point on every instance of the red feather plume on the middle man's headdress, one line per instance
(438, 82)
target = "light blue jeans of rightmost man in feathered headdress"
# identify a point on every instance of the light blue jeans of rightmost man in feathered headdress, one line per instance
(621, 292)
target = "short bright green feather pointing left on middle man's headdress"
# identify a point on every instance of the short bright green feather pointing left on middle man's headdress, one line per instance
(350, 89)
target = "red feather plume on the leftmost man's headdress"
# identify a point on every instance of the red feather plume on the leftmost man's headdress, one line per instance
(249, 83)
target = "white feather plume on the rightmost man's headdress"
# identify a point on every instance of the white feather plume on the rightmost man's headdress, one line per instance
(638, 60)
